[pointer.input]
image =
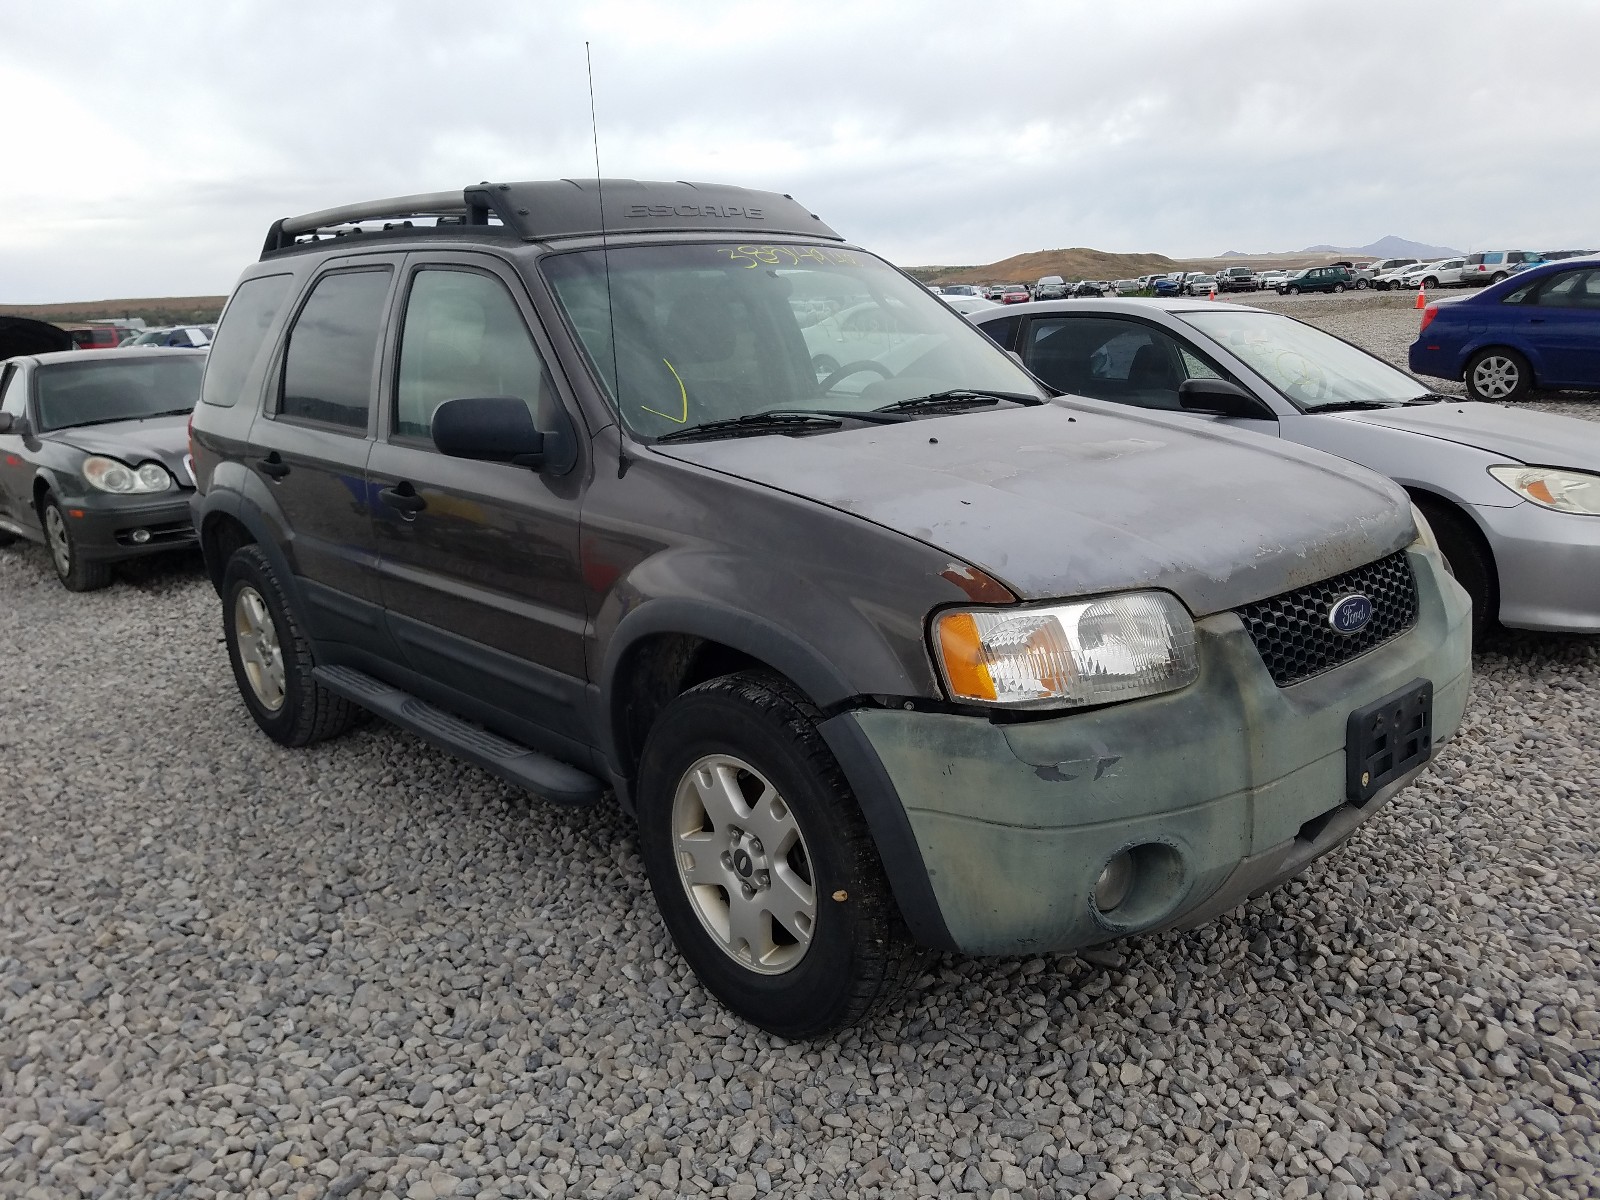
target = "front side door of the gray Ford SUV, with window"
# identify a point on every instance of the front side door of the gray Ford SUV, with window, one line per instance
(479, 561)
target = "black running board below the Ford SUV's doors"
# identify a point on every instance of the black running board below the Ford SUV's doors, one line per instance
(542, 775)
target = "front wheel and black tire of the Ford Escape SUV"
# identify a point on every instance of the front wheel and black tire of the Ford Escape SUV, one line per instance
(762, 865)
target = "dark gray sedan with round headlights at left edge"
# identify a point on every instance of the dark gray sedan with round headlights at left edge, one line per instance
(94, 457)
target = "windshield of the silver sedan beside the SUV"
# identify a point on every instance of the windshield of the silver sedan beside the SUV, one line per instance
(1313, 369)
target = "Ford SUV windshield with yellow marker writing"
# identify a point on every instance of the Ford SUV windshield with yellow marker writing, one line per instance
(711, 332)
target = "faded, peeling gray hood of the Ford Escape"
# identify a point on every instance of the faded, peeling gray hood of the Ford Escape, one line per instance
(1076, 498)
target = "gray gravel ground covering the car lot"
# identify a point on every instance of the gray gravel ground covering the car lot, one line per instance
(369, 970)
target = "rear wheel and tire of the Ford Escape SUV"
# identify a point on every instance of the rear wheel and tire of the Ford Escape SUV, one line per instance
(273, 660)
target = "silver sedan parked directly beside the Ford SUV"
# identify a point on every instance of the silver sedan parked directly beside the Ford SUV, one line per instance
(1513, 495)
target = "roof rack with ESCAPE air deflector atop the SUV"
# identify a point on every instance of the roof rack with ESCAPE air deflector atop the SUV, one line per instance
(538, 212)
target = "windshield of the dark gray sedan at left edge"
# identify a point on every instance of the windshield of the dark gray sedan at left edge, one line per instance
(87, 394)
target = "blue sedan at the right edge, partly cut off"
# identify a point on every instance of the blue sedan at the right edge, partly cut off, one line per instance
(1537, 329)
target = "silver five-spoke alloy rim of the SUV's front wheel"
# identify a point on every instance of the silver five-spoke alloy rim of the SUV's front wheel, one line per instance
(745, 865)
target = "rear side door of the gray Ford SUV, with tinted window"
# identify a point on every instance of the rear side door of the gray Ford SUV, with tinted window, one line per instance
(311, 444)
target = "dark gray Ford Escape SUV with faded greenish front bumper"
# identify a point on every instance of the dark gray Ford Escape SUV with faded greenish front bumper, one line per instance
(679, 498)
